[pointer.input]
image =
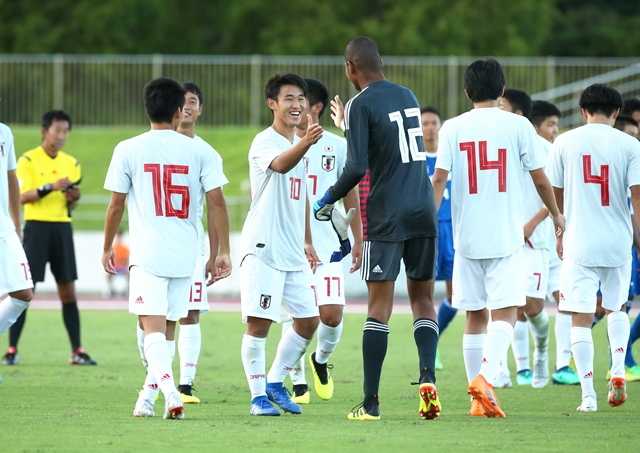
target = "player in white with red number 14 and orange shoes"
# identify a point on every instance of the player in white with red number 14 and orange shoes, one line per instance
(486, 150)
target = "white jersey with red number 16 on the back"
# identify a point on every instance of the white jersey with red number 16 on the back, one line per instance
(162, 172)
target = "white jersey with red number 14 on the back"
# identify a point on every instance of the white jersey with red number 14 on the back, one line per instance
(486, 150)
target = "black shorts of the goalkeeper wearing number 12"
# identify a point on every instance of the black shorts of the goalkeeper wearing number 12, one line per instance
(381, 260)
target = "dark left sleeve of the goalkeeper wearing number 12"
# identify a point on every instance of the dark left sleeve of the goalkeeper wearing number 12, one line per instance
(357, 132)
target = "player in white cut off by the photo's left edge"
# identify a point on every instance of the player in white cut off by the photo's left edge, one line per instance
(15, 276)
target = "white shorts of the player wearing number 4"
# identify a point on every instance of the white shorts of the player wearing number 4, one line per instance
(579, 285)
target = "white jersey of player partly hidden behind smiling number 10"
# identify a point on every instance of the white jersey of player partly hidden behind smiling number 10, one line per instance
(325, 162)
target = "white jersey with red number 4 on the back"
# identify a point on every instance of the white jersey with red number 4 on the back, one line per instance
(594, 164)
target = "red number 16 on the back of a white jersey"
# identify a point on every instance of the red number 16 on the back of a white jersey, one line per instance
(169, 189)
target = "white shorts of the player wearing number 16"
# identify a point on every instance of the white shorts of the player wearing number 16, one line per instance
(150, 295)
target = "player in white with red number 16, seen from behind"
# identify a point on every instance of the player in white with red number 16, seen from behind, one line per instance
(161, 172)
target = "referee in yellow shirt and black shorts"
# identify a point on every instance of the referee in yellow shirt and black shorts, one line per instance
(49, 191)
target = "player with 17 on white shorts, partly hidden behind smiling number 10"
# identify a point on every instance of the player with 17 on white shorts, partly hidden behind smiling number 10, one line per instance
(324, 163)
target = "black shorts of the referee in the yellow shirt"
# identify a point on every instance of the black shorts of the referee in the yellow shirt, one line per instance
(50, 242)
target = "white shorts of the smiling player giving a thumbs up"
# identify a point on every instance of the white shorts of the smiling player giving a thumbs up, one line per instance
(268, 293)
